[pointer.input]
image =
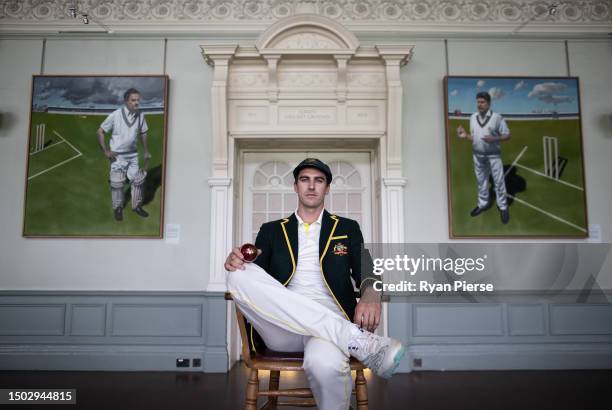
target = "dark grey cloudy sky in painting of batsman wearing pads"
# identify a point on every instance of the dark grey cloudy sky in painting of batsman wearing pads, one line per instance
(96, 92)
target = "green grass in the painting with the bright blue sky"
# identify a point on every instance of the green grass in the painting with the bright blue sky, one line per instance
(553, 197)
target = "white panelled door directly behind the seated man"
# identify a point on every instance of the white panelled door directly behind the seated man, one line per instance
(267, 194)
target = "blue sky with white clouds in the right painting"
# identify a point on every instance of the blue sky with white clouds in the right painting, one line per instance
(515, 95)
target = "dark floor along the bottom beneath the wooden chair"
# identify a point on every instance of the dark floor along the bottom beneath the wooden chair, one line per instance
(499, 390)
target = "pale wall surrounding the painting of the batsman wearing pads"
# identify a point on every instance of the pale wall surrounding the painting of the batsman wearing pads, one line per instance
(110, 264)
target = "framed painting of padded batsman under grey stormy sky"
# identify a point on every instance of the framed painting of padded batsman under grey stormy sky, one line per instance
(96, 145)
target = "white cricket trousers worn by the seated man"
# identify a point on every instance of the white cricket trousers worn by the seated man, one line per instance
(290, 322)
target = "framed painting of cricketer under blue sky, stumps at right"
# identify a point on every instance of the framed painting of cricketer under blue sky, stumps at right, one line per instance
(521, 150)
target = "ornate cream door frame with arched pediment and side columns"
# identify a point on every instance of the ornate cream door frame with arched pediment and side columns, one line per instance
(306, 78)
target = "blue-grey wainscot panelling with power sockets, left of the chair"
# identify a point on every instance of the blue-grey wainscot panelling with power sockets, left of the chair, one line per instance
(112, 330)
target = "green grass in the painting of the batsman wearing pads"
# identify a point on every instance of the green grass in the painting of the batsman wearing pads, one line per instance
(74, 198)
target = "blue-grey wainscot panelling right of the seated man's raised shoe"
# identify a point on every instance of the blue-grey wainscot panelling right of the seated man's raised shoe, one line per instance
(507, 332)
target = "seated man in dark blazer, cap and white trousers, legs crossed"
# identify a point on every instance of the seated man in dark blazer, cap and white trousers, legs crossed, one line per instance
(298, 295)
